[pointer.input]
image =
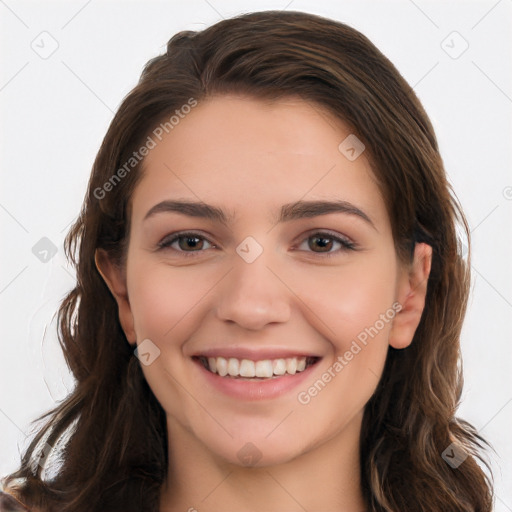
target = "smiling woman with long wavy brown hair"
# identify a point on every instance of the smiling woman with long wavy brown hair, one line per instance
(304, 355)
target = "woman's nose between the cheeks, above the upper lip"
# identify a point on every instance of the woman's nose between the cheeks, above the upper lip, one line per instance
(253, 295)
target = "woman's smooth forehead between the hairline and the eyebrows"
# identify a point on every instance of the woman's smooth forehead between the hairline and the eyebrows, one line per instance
(253, 156)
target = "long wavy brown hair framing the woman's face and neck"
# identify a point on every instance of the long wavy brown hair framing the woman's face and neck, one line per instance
(115, 457)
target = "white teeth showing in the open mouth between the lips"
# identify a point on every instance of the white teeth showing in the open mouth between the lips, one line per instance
(256, 370)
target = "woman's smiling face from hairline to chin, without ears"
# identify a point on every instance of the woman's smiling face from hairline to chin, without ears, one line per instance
(285, 257)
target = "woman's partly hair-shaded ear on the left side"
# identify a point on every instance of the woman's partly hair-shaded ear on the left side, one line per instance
(115, 278)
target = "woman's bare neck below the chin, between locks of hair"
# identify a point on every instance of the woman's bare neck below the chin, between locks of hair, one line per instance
(325, 478)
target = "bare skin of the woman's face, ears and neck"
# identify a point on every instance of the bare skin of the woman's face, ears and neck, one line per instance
(249, 158)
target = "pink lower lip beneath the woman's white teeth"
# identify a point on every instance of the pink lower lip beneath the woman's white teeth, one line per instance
(251, 390)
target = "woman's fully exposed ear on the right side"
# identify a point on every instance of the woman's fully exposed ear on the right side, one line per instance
(411, 294)
